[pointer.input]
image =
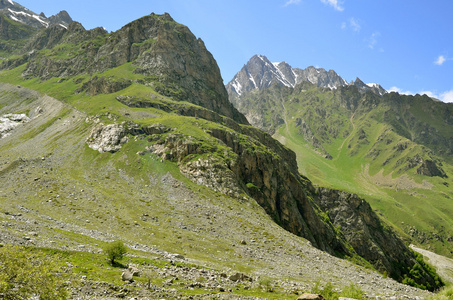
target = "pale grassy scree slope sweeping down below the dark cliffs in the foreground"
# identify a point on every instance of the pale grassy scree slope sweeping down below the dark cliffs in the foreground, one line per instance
(49, 200)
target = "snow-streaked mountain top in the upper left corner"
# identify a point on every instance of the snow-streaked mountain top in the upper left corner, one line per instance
(18, 13)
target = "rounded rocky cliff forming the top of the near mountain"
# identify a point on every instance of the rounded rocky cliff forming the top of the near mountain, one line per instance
(163, 50)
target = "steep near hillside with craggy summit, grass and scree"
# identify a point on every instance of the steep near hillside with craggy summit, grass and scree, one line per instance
(142, 145)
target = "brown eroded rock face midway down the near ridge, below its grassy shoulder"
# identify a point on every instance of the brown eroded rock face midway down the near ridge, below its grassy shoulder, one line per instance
(254, 164)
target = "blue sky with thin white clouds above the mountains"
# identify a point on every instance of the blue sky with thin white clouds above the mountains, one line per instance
(404, 45)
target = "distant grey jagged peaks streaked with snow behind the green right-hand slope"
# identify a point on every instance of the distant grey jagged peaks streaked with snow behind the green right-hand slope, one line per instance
(260, 72)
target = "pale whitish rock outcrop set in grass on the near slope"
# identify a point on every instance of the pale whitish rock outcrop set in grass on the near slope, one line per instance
(107, 138)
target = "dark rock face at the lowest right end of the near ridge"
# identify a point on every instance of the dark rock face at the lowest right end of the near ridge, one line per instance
(363, 229)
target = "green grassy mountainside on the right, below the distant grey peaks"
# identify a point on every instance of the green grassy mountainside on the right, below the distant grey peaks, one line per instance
(393, 150)
